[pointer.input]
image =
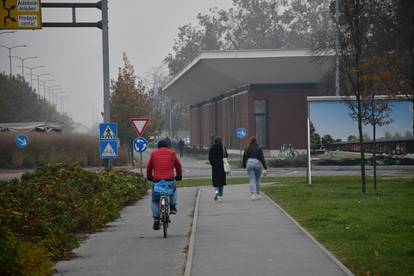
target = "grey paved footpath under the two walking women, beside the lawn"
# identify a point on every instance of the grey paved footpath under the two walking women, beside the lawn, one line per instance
(243, 237)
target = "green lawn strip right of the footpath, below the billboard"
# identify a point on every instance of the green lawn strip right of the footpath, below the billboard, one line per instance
(372, 234)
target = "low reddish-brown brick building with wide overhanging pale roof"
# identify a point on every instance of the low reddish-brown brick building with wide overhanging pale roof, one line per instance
(263, 91)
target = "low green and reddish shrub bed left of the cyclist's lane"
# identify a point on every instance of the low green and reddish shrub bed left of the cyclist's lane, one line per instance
(43, 214)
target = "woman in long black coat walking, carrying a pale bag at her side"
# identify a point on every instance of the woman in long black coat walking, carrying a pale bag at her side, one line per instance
(216, 154)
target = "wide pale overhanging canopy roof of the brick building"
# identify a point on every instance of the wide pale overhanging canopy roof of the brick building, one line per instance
(216, 72)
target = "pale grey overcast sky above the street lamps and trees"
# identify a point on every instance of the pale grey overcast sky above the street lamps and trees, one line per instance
(145, 30)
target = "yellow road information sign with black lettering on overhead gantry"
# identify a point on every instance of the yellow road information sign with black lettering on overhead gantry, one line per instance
(20, 14)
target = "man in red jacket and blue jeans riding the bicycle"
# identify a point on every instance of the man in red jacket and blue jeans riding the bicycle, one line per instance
(161, 166)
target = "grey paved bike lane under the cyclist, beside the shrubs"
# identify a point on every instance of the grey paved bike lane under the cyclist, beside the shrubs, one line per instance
(130, 246)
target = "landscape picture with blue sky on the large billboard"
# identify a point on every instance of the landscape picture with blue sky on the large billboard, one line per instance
(334, 133)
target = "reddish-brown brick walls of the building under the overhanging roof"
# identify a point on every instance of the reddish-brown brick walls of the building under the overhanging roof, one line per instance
(287, 110)
